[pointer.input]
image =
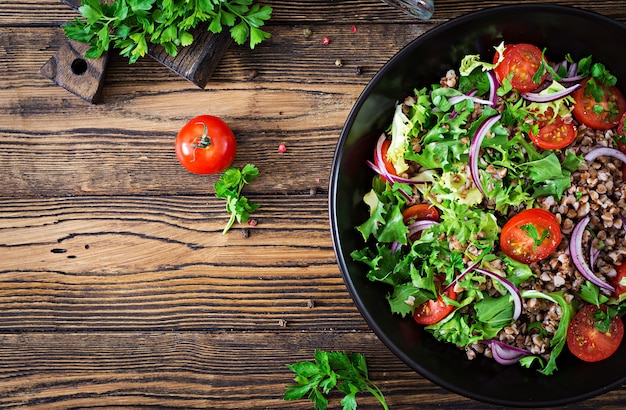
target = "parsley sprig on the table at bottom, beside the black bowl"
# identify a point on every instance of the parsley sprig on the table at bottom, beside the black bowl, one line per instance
(345, 371)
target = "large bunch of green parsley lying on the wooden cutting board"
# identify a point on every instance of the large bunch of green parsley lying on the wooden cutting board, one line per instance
(130, 25)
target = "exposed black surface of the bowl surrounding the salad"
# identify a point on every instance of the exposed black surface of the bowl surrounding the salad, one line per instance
(560, 30)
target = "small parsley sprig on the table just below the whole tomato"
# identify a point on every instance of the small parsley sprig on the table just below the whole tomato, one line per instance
(229, 187)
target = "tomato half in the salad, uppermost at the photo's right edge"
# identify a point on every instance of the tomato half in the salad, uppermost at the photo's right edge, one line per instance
(583, 107)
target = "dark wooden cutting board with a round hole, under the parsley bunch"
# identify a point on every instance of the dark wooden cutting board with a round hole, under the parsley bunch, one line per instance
(84, 77)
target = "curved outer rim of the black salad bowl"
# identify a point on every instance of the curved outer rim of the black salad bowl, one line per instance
(332, 195)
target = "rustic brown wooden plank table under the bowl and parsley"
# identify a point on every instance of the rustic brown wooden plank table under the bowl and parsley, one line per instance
(117, 287)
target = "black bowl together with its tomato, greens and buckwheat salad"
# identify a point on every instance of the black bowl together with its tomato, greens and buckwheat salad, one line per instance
(478, 204)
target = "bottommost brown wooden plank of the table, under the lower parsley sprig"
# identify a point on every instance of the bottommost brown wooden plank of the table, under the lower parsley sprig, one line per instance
(201, 369)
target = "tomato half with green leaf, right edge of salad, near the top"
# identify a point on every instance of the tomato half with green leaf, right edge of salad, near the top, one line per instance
(613, 106)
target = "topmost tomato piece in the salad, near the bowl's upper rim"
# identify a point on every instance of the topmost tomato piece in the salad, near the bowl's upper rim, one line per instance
(522, 60)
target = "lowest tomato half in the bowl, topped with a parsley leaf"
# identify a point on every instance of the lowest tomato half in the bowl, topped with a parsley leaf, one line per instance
(587, 342)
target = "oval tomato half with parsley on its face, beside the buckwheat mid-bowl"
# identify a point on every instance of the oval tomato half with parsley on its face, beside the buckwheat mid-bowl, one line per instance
(530, 236)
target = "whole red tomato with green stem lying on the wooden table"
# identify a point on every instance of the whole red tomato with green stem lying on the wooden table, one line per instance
(205, 145)
